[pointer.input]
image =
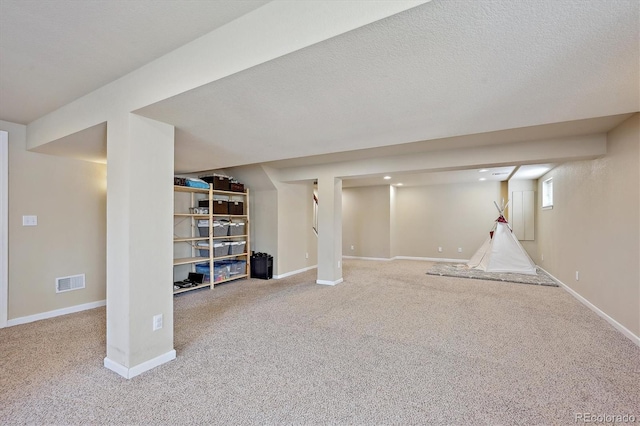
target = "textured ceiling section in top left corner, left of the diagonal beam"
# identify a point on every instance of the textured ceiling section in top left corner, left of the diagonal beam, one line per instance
(53, 52)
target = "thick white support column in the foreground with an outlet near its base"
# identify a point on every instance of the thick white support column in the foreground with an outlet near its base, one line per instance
(139, 244)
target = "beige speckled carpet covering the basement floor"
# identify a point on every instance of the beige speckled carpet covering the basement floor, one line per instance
(390, 345)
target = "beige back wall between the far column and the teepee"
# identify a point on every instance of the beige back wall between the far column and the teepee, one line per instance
(414, 221)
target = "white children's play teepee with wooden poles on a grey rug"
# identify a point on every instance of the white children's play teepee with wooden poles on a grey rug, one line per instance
(502, 252)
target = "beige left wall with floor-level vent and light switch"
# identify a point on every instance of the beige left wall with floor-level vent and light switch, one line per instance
(69, 198)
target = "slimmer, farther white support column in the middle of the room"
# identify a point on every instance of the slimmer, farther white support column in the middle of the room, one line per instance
(329, 230)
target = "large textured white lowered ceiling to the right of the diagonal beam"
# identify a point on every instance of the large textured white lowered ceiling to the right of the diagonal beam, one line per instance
(442, 69)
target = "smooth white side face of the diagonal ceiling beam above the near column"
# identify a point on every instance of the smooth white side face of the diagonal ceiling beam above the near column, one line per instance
(269, 32)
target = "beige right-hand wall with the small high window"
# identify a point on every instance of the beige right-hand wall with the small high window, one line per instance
(593, 227)
